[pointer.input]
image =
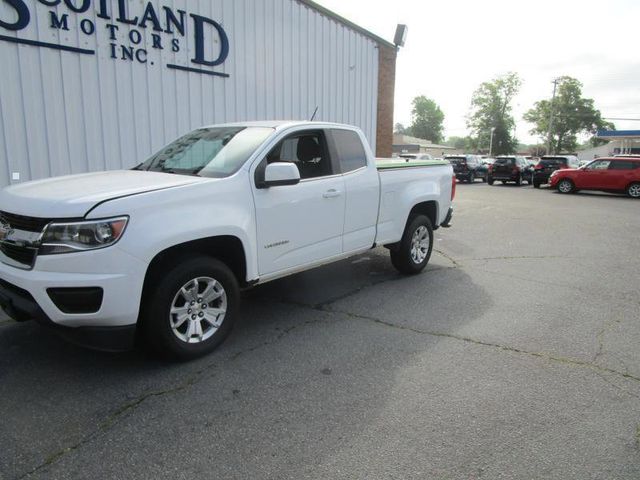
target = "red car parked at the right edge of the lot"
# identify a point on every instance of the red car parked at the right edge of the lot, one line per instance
(616, 174)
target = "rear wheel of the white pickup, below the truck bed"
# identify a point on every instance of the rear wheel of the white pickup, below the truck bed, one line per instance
(413, 252)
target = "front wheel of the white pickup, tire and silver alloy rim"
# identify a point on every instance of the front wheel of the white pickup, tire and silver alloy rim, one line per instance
(191, 309)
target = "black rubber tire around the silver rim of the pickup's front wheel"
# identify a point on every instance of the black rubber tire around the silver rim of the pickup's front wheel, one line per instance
(155, 317)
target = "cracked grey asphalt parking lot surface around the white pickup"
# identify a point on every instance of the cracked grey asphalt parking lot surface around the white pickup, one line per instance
(515, 355)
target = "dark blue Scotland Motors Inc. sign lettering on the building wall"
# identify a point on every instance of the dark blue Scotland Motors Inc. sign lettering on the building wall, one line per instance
(131, 36)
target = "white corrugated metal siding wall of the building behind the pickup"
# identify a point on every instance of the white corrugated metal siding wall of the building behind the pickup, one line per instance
(64, 113)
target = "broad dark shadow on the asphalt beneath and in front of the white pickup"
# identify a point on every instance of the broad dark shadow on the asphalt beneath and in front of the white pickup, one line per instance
(294, 336)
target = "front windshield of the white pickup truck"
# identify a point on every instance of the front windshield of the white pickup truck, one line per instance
(208, 152)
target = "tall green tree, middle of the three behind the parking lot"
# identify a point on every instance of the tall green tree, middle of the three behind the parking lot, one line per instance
(491, 111)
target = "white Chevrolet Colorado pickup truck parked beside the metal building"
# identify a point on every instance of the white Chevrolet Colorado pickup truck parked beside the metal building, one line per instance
(159, 253)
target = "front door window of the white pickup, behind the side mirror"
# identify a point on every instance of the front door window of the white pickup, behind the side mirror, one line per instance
(307, 151)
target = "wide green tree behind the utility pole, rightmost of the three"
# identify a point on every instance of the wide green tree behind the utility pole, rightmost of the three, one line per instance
(573, 115)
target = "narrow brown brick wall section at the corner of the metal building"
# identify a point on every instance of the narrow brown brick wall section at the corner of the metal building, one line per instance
(386, 93)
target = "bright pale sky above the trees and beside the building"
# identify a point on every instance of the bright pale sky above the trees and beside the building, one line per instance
(455, 45)
